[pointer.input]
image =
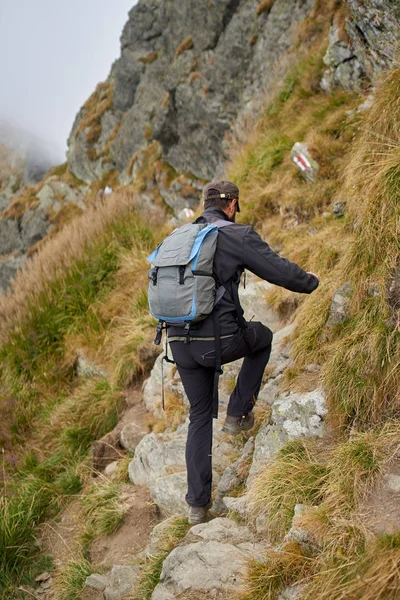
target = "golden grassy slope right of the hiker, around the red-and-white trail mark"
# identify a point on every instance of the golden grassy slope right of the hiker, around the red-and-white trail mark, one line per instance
(359, 155)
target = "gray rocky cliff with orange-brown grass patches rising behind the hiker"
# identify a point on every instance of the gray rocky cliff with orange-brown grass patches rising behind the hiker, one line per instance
(187, 75)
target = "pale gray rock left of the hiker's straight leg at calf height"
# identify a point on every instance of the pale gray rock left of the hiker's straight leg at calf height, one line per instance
(155, 455)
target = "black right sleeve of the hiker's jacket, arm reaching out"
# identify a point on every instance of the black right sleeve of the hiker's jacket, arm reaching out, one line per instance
(264, 262)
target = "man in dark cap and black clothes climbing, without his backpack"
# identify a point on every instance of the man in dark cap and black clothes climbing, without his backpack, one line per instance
(239, 247)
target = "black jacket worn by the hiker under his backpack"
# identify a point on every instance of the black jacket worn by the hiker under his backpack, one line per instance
(239, 247)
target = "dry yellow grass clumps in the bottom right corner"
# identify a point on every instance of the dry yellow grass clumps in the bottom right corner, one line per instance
(348, 561)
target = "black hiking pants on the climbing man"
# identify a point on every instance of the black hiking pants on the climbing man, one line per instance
(195, 362)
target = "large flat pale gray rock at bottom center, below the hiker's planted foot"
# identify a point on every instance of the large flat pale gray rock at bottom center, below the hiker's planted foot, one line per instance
(204, 566)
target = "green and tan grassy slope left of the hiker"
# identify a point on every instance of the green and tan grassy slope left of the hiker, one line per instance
(86, 290)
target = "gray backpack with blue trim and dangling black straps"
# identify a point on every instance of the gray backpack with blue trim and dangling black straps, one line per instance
(182, 288)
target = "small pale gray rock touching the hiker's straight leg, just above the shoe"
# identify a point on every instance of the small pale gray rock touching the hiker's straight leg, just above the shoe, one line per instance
(169, 494)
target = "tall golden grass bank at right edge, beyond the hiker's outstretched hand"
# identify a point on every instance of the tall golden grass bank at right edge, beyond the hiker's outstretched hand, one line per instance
(362, 365)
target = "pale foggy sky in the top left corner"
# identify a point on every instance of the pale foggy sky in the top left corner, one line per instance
(52, 55)
